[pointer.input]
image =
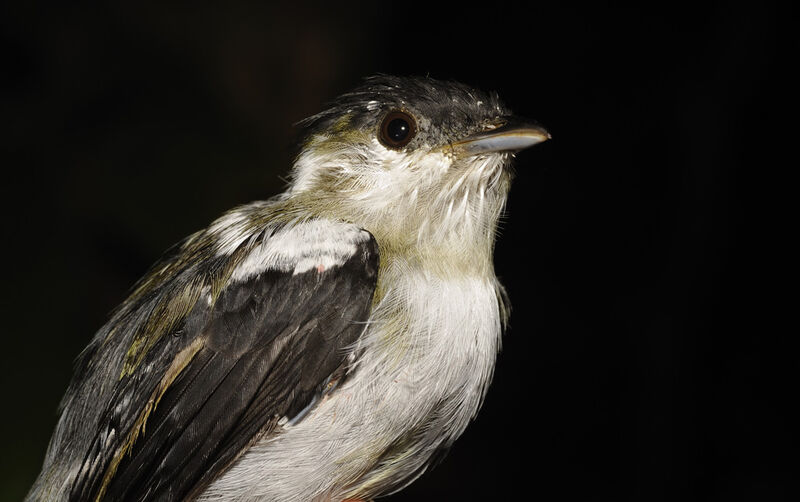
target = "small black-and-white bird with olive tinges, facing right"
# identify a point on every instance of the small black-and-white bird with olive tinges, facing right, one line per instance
(327, 344)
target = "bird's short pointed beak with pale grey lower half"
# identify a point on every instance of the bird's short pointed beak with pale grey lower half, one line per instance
(508, 135)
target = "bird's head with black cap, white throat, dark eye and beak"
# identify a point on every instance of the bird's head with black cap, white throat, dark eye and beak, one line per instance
(412, 160)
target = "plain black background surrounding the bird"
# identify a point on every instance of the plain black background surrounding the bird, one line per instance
(644, 248)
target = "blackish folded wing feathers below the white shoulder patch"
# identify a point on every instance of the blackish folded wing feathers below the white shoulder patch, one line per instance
(271, 344)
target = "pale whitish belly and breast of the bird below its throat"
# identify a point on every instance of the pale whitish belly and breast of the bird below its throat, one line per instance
(420, 379)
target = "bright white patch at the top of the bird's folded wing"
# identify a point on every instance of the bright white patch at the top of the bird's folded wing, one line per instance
(315, 244)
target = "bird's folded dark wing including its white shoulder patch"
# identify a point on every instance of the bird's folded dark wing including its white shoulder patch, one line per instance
(264, 347)
